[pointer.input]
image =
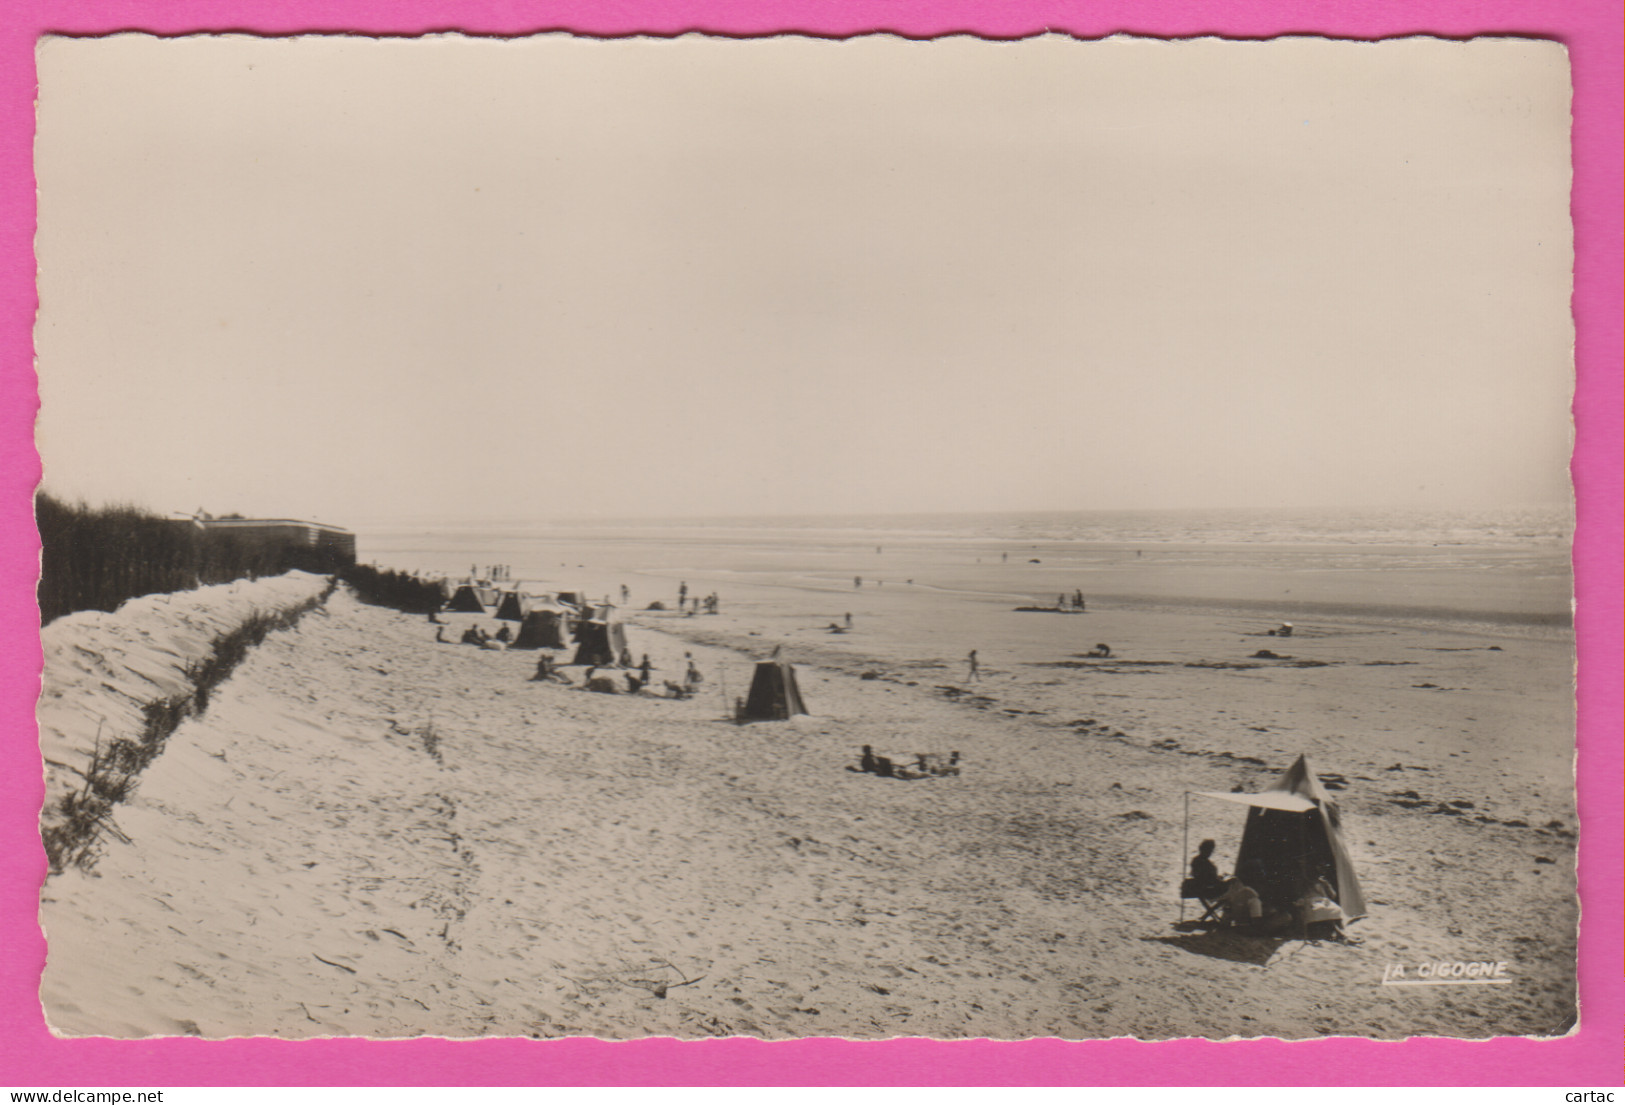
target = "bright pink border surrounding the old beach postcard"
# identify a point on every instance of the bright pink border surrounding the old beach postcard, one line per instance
(1593, 33)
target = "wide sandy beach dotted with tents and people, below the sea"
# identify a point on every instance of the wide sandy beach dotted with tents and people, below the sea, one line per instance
(375, 834)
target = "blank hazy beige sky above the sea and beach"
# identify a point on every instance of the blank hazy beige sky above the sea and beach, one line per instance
(453, 279)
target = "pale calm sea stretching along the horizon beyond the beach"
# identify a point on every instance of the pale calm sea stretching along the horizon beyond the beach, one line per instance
(1507, 566)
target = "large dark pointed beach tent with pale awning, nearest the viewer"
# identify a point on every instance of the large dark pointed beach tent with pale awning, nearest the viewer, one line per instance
(1293, 838)
